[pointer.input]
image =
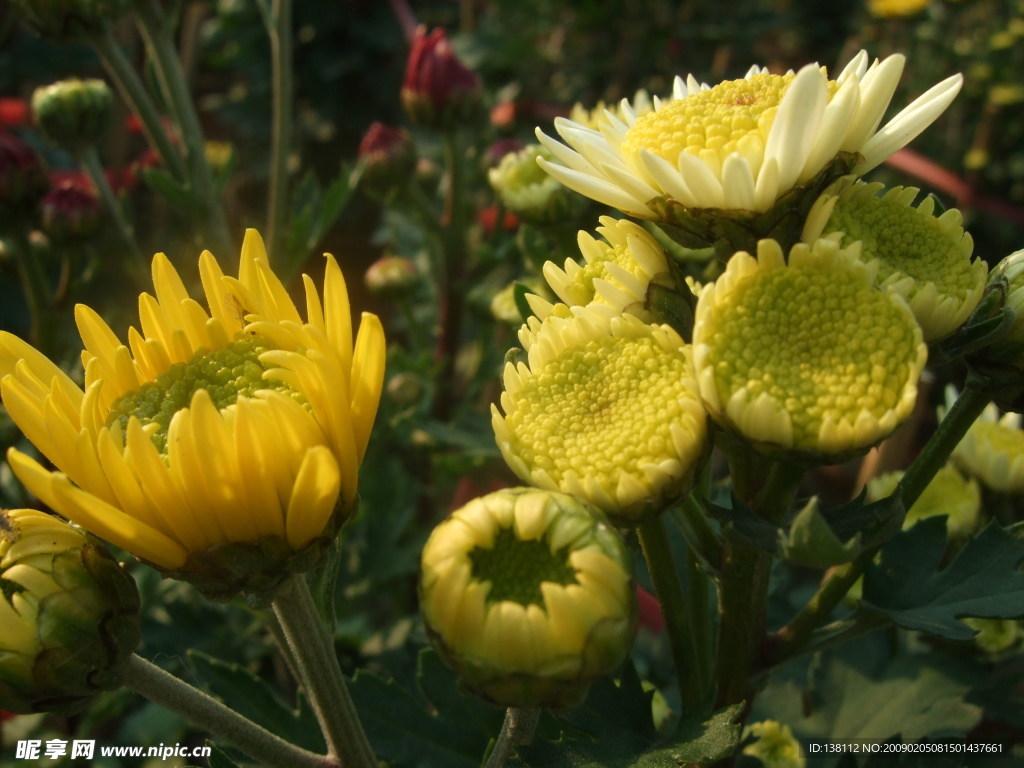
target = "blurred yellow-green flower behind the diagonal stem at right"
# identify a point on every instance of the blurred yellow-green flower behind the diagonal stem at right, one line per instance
(949, 494)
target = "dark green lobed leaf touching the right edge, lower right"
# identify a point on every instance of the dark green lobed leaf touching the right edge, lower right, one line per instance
(984, 580)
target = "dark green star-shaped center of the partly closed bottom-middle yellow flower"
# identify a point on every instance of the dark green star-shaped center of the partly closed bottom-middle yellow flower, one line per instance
(517, 569)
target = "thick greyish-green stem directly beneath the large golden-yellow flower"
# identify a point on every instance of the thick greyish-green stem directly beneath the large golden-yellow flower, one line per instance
(325, 684)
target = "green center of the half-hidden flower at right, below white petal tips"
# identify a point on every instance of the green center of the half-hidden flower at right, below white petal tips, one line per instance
(907, 241)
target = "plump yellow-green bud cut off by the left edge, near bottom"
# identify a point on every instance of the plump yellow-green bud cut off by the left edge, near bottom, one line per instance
(69, 616)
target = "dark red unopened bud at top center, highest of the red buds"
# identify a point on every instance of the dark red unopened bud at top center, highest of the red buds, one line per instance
(438, 90)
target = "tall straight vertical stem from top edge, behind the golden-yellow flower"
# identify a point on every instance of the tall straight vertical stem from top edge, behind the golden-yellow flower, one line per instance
(279, 28)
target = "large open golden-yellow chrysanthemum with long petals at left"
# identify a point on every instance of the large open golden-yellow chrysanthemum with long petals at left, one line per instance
(217, 444)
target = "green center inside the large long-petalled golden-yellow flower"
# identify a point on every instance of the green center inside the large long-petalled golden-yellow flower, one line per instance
(227, 374)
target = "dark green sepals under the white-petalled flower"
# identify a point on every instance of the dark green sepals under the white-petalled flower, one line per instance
(732, 231)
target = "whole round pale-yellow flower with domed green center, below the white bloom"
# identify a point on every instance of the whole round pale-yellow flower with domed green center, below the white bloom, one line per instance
(807, 357)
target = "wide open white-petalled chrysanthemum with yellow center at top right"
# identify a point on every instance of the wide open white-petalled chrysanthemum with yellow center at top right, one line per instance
(742, 144)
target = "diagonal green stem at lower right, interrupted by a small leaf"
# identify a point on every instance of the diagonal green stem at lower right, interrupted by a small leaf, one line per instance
(838, 582)
